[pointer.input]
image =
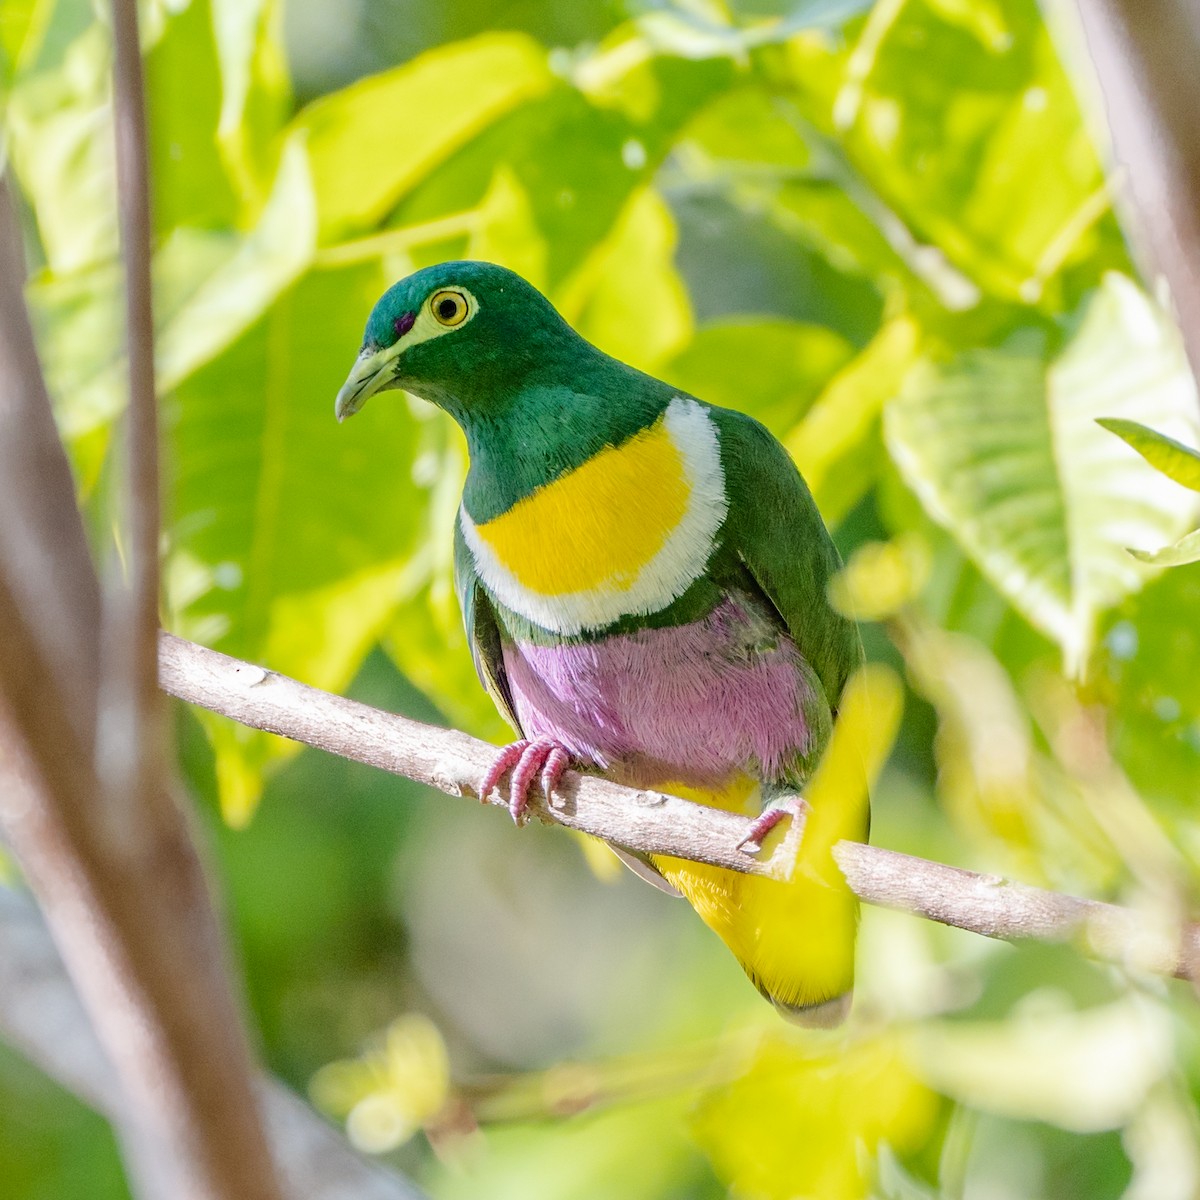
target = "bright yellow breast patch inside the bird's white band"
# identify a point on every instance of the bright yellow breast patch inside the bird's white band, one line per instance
(601, 524)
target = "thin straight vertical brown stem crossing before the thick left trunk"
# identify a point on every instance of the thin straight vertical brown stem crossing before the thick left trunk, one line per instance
(131, 730)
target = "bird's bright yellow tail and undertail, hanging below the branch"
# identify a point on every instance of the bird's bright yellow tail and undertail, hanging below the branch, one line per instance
(795, 939)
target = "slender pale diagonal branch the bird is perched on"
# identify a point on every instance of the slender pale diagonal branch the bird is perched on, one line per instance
(655, 824)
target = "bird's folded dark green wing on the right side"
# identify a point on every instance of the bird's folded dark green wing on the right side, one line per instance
(776, 530)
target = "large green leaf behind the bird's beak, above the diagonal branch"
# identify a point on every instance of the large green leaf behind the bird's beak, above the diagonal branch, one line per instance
(291, 536)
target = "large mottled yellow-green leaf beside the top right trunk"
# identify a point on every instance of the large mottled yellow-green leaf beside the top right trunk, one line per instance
(962, 122)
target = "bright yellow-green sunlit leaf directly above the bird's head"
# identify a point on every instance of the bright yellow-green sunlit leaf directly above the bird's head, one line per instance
(373, 142)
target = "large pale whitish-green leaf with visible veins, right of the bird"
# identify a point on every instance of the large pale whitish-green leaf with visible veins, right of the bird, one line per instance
(1004, 449)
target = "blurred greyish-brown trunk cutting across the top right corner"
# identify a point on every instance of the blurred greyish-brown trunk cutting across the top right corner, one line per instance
(1148, 59)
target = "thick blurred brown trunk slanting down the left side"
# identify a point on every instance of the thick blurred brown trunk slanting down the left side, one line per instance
(124, 895)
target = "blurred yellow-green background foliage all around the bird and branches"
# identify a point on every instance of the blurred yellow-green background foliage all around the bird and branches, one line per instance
(883, 229)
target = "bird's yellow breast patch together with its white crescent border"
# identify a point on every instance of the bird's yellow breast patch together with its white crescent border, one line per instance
(623, 535)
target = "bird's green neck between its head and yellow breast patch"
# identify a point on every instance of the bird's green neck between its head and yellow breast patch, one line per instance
(550, 425)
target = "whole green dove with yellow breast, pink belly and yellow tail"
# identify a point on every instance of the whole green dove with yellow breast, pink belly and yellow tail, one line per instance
(643, 577)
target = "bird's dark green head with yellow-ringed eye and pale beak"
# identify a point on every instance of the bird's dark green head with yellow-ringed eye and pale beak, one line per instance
(464, 335)
